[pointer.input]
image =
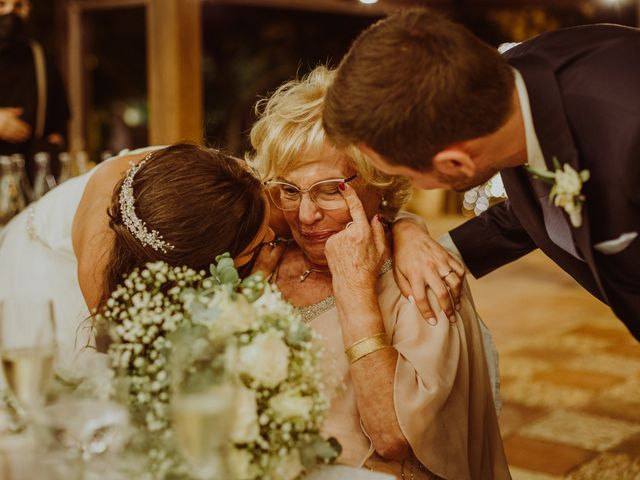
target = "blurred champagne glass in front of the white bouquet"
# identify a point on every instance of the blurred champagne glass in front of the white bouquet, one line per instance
(203, 412)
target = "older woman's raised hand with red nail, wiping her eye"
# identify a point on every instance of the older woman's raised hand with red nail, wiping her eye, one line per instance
(355, 255)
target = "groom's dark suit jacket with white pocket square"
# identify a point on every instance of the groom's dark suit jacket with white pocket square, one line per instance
(584, 91)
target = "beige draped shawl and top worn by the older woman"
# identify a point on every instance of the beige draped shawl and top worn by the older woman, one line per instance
(443, 398)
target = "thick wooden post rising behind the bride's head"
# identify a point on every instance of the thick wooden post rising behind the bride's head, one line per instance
(174, 47)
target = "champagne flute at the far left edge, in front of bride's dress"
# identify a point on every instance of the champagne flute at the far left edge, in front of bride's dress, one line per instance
(27, 348)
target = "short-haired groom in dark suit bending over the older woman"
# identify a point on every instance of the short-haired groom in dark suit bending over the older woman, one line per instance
(423, 97)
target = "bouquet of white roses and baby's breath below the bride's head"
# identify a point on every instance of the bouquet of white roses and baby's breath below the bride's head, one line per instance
(164, 316)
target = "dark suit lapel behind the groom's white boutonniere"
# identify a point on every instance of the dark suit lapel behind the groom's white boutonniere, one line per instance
(555, 138)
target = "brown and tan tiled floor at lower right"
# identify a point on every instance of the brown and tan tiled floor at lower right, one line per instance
(570, 374)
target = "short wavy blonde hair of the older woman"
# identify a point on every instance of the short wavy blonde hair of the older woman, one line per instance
(289, 129)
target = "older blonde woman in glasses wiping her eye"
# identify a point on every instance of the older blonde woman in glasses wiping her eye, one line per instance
(414, 399)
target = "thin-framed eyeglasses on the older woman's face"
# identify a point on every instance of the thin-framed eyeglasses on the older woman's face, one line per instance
(325, 194)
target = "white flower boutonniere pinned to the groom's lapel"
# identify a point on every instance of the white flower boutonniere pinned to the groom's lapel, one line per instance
(566, 191)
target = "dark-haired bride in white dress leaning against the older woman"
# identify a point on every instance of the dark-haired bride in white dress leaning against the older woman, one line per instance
(183, 204)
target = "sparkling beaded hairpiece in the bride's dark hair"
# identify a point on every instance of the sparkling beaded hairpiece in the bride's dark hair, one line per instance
(137, 227)
